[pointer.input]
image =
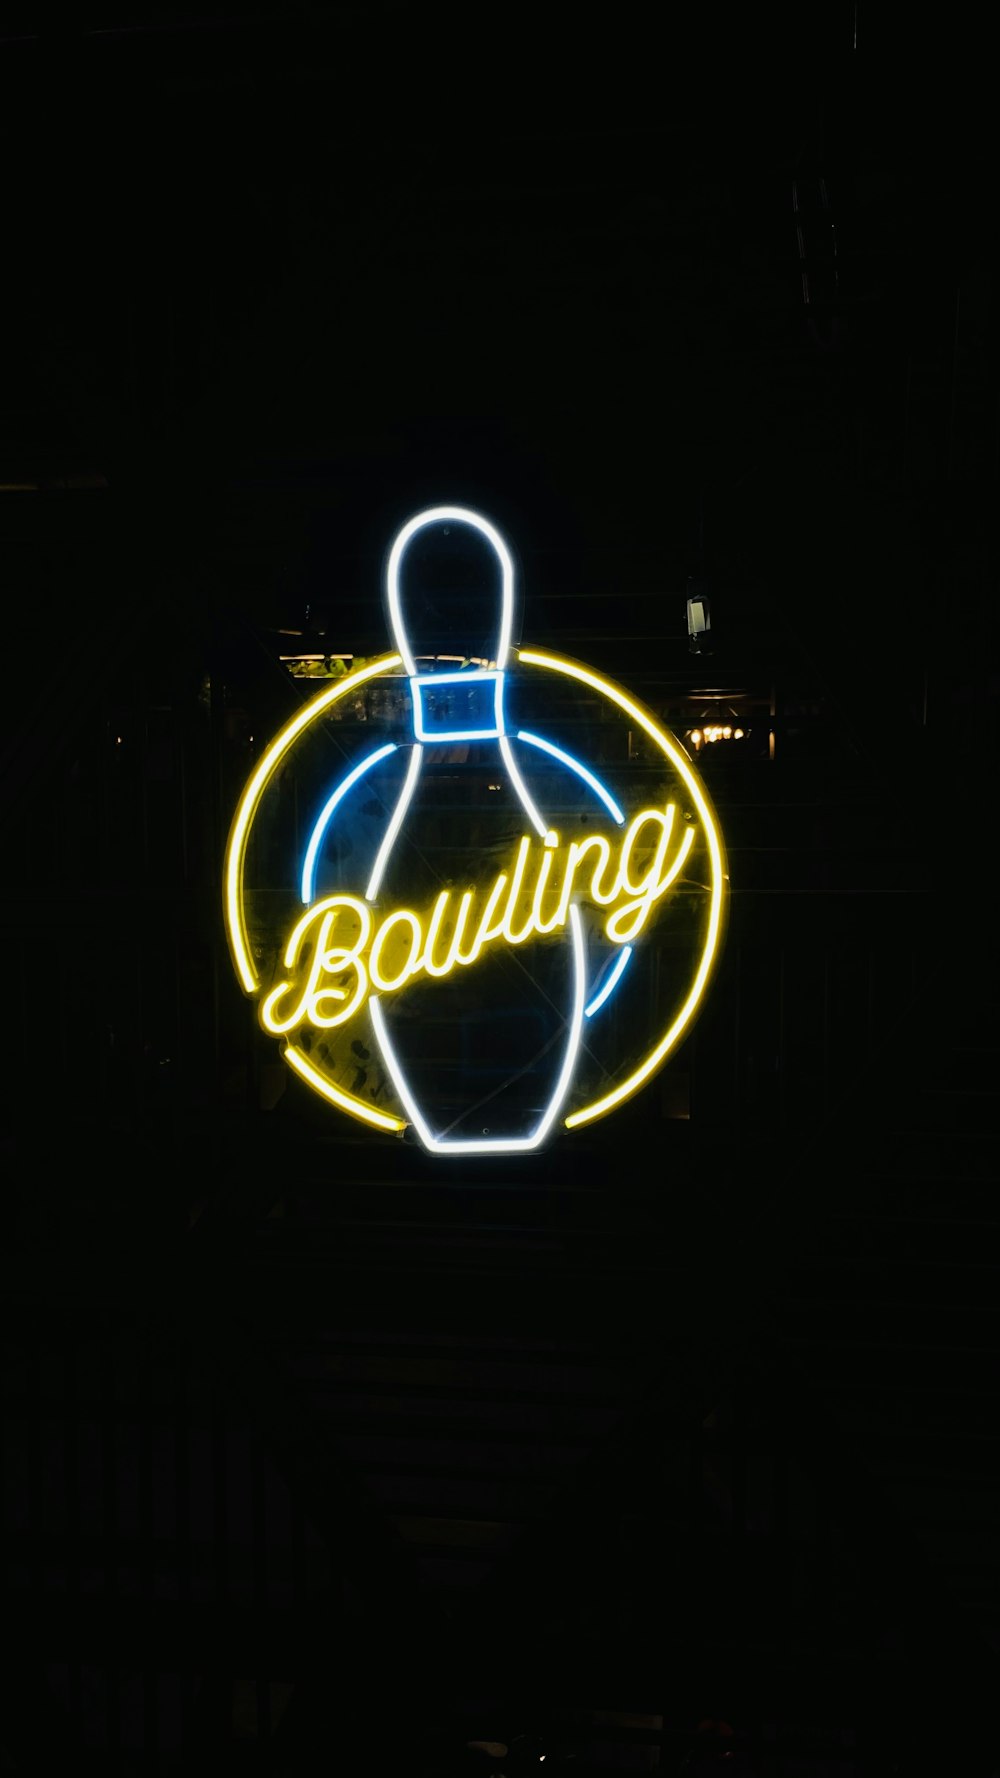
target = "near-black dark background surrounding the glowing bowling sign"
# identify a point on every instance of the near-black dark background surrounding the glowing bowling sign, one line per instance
(677, 1446)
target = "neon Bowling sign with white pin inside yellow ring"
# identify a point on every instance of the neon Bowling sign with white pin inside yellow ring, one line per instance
(455, 925)
